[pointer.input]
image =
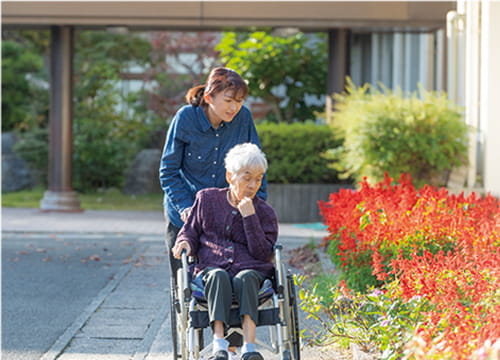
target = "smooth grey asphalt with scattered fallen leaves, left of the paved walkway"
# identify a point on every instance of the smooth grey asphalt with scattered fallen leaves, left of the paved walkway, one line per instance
(47, 281)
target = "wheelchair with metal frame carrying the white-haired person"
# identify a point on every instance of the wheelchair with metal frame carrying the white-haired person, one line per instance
(277, 311)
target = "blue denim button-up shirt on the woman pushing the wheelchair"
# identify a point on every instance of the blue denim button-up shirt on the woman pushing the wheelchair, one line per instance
(193, 156)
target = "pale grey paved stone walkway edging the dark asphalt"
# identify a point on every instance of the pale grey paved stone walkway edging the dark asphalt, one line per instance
(129, 318)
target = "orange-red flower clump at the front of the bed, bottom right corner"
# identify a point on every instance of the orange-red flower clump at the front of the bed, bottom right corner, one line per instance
(464, 289)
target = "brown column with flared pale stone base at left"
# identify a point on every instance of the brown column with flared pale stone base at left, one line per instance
(60, 196)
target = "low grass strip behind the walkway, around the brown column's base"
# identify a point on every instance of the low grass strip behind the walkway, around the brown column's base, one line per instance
(99, 200)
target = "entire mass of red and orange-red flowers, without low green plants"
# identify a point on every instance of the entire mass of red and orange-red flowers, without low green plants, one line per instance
(427, 243)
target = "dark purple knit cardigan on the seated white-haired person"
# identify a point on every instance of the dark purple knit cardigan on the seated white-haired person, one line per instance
(220, 237)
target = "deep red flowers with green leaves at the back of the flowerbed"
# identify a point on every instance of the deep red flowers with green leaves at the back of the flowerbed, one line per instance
(374, 224)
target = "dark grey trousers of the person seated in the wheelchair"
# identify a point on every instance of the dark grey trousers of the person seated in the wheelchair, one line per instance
(219, 290)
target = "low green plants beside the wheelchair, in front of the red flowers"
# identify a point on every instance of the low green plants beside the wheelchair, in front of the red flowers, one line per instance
(377, 322)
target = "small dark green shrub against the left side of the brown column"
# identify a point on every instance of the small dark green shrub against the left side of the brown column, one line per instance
(33, 148)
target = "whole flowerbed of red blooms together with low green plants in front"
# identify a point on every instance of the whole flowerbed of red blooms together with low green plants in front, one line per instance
(420, 272)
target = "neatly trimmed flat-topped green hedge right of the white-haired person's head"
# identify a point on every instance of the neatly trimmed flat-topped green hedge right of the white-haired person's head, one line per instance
(295, 152)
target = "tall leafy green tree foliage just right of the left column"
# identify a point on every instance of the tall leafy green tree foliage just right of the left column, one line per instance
(105, 137)
